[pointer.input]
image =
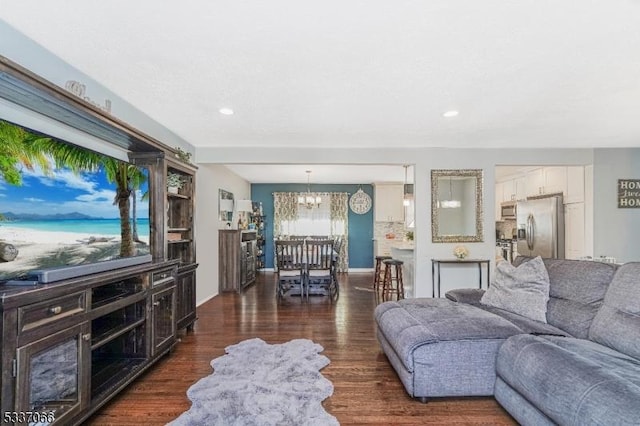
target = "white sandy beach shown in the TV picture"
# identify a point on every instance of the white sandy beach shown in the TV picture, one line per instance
(39, 249)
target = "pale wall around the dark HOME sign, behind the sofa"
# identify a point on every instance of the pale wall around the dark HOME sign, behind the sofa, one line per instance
(616, 231)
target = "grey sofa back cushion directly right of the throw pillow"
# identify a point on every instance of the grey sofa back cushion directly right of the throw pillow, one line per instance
(576, 292)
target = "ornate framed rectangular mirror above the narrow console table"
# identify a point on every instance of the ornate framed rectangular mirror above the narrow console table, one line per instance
(456, 206)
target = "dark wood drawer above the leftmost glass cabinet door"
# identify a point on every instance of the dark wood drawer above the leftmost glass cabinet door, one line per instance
(39, 314)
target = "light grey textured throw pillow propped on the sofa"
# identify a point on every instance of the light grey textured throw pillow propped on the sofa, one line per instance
(523, 290)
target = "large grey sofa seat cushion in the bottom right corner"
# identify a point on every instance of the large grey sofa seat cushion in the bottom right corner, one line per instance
(572, 381)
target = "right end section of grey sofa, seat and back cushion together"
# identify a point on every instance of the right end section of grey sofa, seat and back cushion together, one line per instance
(592, 380)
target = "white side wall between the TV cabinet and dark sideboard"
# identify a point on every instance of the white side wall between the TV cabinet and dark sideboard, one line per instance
(209, 179)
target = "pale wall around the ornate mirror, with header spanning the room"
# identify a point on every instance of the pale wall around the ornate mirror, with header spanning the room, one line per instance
(425, 160)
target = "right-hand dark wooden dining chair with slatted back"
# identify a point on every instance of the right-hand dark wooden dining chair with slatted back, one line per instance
(320, 267)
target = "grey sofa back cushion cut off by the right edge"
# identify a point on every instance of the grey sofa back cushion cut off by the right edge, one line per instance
(617, 324)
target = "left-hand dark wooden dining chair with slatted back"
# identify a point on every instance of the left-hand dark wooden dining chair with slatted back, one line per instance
(291, 268)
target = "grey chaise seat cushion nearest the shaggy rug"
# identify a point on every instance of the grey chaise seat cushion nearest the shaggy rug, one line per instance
(411, 323)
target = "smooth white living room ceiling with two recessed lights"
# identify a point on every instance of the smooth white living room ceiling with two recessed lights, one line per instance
(543, 73)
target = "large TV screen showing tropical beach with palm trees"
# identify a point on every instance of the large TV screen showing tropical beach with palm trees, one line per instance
(63, 205)
